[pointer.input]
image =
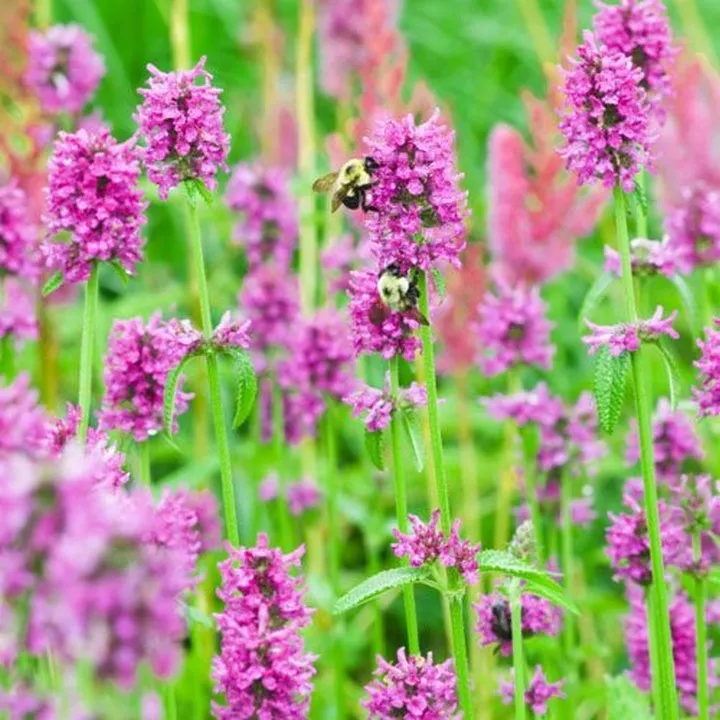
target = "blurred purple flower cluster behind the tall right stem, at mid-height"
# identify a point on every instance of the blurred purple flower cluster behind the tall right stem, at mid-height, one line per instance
(676, 445)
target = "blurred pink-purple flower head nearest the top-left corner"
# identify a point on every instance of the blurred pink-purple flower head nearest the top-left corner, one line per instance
(63, 68)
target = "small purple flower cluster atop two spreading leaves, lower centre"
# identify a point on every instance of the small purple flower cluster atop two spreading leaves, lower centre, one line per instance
(428, 543)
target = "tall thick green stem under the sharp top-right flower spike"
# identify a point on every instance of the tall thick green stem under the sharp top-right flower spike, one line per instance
(664, 677)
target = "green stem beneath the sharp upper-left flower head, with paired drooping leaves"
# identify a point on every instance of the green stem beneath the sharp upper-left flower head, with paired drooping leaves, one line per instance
(221, 438)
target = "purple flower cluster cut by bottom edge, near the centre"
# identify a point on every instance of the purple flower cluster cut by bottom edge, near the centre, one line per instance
(413, 687)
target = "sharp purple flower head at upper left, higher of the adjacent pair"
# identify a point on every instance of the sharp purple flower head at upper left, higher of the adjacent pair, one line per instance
(181, 124)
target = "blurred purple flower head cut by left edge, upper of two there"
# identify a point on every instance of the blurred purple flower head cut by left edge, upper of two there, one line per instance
(18, 234)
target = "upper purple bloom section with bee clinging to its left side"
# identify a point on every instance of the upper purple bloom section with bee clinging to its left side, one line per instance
(420, 211)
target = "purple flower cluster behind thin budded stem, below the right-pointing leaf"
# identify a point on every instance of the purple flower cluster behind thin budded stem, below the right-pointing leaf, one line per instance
(494, 626)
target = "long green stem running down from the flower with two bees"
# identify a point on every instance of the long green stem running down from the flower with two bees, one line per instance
(437, 463)
